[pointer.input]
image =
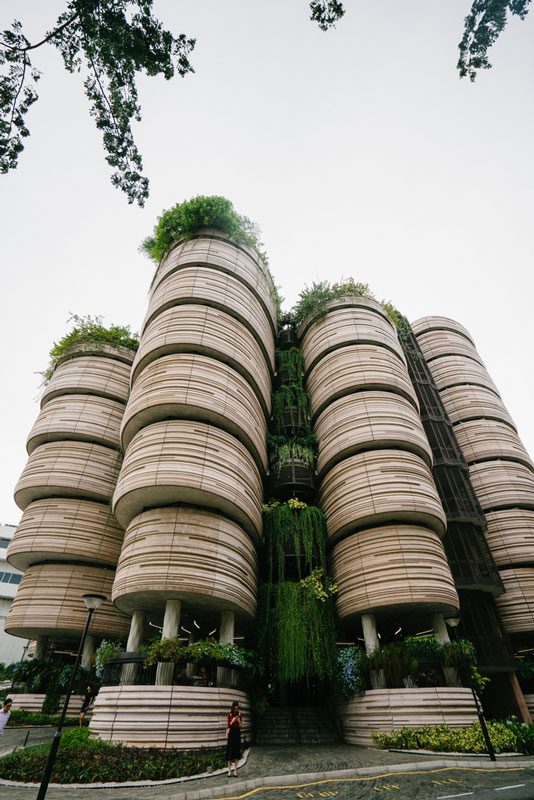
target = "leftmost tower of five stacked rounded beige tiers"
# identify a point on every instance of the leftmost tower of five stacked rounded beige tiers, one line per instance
(68, 541)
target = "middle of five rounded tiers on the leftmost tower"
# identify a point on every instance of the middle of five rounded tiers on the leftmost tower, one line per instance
(68, 469)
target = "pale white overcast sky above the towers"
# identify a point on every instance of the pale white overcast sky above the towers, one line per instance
(358, 151)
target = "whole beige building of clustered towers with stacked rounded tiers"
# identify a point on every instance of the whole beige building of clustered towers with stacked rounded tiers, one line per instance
(427, 491)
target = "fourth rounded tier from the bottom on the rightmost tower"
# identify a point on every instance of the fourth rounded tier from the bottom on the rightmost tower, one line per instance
(485, 439)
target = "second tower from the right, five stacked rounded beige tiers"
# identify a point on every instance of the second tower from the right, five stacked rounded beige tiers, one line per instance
(384, 518)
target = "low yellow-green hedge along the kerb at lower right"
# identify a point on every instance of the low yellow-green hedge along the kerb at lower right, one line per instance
(443, 739)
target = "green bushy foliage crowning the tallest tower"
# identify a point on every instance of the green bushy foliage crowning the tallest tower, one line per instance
(184, 220)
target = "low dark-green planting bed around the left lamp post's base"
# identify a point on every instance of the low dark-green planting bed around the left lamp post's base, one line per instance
(84, 760)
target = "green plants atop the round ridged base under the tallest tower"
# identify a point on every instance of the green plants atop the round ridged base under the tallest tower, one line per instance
(205, 651)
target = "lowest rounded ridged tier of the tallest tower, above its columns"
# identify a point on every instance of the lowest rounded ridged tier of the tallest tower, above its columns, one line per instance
(189, 554)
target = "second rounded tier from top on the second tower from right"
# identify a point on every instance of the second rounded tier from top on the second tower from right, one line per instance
(354, 368)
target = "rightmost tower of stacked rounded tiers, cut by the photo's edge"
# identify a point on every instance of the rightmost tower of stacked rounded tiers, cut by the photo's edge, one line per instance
(501, 471)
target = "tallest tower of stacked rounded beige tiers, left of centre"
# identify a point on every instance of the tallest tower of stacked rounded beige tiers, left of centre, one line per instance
(190, 490)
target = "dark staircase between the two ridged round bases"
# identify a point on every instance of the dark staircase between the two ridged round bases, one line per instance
(290, 726)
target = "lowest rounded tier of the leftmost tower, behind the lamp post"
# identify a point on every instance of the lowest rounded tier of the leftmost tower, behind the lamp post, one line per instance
(49, 603)
